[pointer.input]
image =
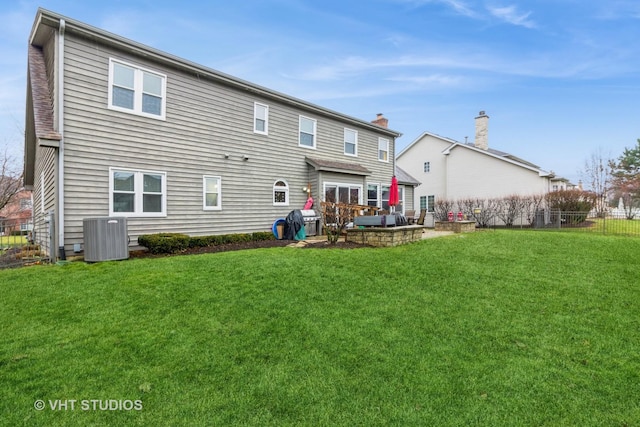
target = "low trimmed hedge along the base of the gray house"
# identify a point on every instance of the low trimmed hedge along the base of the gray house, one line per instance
(170, 243)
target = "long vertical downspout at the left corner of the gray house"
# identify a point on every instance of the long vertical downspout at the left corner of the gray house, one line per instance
(60, 108)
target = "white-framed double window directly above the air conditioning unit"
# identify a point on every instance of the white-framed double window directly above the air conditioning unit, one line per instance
(135, 193)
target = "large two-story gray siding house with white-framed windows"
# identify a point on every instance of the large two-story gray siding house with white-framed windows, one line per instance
(116, 128)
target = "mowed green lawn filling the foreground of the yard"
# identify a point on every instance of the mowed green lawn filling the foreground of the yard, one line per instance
(493, 328)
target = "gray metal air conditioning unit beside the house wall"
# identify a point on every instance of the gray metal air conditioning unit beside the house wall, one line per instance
(105, 239)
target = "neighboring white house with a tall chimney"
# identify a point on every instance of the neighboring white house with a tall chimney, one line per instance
(452, 170)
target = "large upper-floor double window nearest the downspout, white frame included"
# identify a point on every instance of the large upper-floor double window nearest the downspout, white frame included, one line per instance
(136, 90)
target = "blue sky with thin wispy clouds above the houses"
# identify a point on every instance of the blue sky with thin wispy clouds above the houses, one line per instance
(560, 79)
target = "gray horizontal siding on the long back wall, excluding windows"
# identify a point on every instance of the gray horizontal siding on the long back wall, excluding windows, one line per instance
(204, 120)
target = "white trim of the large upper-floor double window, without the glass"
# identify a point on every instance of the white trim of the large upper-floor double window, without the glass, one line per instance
(138, 81)
